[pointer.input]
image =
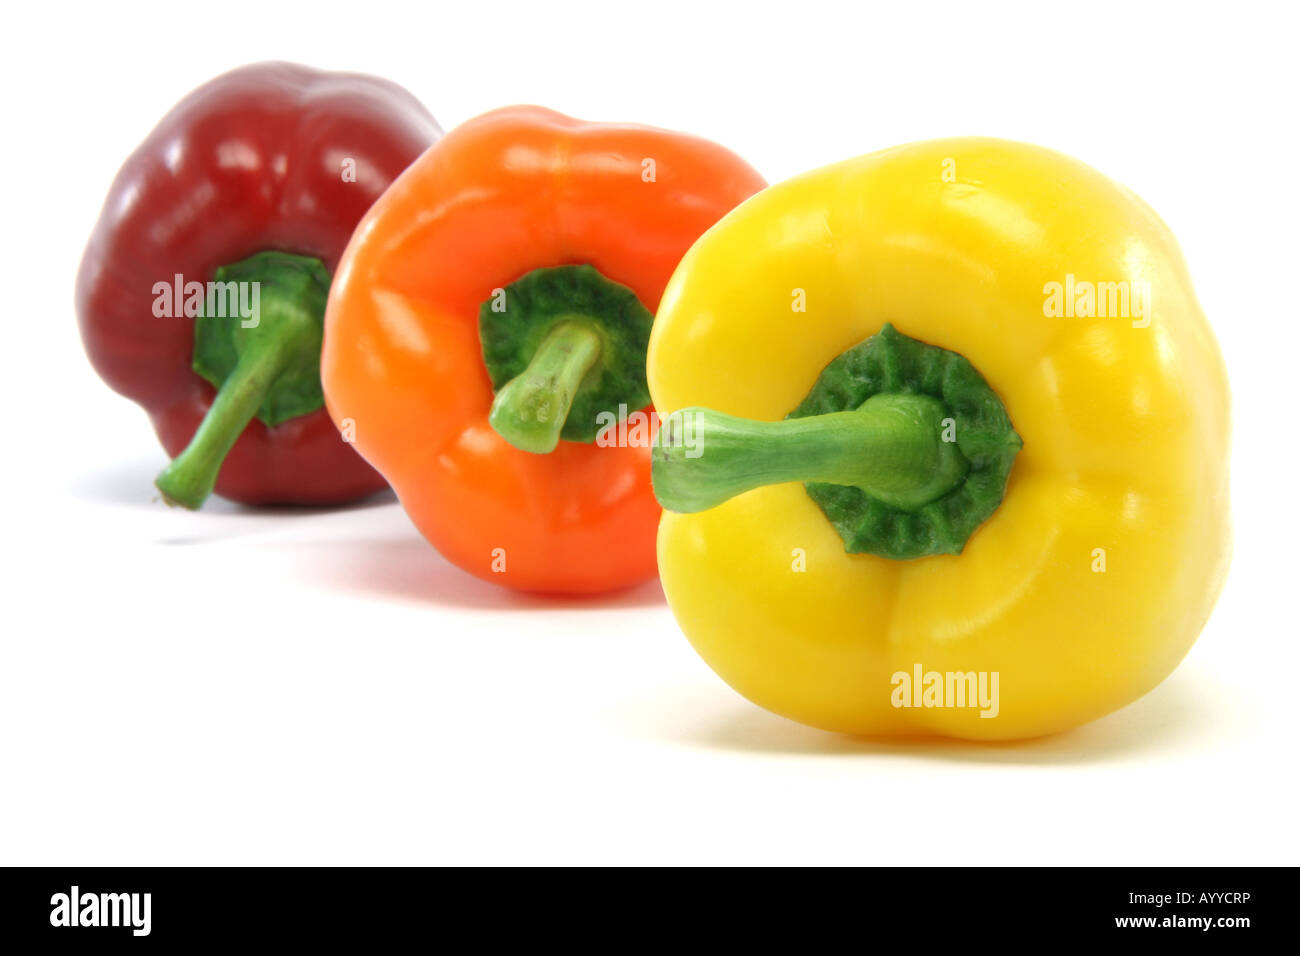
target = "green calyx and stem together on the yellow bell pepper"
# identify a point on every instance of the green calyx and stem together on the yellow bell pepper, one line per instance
(903, 445)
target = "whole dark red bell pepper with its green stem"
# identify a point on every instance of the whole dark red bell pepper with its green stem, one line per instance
(202, 292)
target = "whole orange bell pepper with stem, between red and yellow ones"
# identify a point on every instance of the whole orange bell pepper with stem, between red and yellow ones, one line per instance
(487, 334)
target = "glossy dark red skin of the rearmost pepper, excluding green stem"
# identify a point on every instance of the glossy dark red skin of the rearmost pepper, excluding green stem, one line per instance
(248, 163)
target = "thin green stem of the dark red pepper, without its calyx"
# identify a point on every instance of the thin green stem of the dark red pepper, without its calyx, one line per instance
(192, 475)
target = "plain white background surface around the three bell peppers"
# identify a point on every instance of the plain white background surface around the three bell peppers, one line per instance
(239, 687)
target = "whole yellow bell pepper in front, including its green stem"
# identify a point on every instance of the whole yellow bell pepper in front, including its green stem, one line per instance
(948, 447)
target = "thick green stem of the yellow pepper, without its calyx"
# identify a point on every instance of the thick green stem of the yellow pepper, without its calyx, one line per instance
(892, 448)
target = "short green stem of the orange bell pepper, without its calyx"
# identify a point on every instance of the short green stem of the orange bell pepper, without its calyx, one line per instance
(532, 408)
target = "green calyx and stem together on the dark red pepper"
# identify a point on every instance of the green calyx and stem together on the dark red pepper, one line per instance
(259, 343)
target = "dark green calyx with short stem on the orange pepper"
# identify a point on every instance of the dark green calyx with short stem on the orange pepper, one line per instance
(566, 352)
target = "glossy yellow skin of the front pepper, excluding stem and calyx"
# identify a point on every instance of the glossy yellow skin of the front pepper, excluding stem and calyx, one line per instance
(1100, 568)
